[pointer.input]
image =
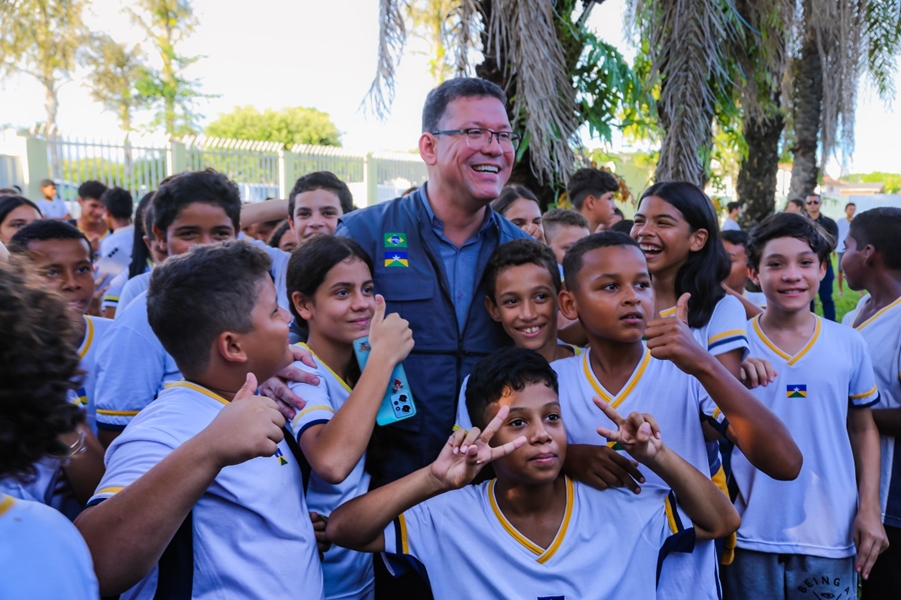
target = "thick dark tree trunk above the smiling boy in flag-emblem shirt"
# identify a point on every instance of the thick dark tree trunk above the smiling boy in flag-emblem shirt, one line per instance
(756, 184)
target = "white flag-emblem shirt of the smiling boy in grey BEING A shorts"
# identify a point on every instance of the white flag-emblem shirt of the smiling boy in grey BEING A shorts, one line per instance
(812, 394)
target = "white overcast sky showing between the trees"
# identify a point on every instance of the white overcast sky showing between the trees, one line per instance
(277, 53)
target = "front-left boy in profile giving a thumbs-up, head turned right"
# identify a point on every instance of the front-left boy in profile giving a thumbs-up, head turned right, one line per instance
(203, 477)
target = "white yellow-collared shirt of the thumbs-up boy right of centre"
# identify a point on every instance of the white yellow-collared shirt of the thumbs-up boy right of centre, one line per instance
(678, 402)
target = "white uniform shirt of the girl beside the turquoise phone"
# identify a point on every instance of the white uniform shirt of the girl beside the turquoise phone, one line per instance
(347, 574)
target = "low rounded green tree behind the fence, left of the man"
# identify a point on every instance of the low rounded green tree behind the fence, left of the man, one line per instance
(289, 126)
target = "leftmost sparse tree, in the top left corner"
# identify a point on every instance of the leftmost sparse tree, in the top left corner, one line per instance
(43, 39)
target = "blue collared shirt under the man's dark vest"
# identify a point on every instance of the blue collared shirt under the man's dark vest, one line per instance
(460, 264)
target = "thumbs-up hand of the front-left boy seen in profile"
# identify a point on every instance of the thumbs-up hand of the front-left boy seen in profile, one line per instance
(249, 427)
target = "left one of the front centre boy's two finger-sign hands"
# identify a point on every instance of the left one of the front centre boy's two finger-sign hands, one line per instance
(465, 453)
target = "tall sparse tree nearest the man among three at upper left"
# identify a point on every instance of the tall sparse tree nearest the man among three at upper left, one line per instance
(166, 23)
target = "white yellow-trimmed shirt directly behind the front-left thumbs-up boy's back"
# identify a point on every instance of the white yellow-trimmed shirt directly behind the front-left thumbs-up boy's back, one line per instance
(132, 367)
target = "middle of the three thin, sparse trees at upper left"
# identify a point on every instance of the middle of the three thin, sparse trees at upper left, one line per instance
(115, 71)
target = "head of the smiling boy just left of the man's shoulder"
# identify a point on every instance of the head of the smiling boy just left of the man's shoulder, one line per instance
(315, 204)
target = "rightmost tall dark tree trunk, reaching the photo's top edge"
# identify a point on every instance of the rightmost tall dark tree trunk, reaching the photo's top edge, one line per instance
(806, 115)
